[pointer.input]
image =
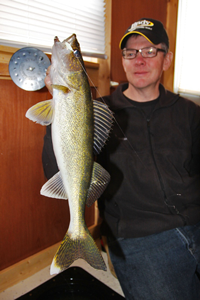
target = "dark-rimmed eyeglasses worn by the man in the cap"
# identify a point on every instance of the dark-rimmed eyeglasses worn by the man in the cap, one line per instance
(145, 52)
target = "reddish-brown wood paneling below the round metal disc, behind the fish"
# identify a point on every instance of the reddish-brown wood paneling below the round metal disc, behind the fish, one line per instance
(29, 222)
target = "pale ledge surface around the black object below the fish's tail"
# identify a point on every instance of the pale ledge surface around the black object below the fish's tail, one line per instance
(40, 277)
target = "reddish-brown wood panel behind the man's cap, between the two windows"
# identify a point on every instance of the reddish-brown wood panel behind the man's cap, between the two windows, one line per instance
(124, 13)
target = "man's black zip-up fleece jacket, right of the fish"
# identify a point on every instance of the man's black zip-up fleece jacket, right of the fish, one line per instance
(154, 165)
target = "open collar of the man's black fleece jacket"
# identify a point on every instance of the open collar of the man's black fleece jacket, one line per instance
(119, 101)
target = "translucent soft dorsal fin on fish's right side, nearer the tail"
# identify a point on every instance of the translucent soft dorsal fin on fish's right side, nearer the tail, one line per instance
(99, 182)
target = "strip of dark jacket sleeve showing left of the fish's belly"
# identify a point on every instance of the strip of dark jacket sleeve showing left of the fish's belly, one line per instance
(48, 158)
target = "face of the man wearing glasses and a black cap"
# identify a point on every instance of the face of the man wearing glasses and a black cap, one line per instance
(143, 72)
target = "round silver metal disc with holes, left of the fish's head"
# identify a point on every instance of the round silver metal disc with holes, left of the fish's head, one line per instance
(27, 68)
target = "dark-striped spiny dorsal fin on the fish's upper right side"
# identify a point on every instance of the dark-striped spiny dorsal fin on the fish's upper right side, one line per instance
(103, 119)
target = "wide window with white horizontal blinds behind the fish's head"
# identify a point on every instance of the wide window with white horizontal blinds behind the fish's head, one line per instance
(34, 23)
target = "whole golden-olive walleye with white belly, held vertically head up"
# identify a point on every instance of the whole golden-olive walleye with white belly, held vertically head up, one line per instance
(80, 127)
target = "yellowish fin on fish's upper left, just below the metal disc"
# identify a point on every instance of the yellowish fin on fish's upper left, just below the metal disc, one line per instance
(41, 112)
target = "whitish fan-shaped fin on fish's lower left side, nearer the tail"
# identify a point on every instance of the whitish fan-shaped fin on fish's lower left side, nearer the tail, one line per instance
(54, 188)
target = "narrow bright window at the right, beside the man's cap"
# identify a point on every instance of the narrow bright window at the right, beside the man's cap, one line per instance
(187, 59)
